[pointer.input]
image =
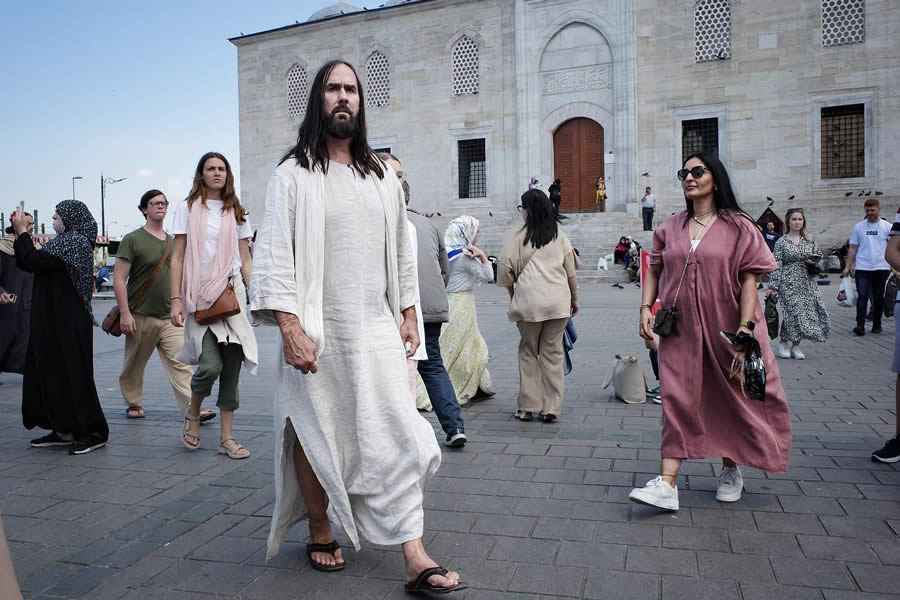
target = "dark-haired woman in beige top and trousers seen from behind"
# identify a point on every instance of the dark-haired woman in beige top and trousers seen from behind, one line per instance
(537, 267)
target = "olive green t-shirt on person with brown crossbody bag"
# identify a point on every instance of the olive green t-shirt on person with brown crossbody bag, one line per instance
(144, 251)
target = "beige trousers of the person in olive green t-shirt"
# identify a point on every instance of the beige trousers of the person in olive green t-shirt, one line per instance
(159, 334)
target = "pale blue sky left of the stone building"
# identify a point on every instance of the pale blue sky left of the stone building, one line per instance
(133, 89)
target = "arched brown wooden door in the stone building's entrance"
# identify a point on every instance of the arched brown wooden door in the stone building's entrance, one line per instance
(577, 162)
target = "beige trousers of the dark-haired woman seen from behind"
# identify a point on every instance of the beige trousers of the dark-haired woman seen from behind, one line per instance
(541, 386)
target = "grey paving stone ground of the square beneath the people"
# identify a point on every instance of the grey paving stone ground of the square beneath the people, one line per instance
(525, 511)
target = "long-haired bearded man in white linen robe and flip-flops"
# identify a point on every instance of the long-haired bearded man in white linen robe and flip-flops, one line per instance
(335, 271)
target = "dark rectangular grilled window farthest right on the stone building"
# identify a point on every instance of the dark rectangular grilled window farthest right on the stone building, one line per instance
(843, 141)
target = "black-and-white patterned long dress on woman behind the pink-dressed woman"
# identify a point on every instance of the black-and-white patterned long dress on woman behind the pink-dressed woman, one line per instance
(803, 315)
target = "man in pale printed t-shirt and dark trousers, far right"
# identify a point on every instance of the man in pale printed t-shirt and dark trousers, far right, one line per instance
(866, 262)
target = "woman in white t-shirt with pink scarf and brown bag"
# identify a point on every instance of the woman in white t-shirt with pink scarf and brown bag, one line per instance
(212, 252)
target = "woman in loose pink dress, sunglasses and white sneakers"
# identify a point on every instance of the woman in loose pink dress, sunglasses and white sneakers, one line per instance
(706, 413)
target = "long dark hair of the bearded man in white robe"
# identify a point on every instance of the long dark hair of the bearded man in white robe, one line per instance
(311, 142)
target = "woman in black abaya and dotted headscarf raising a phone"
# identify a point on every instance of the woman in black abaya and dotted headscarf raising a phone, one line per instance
(58, 388)
